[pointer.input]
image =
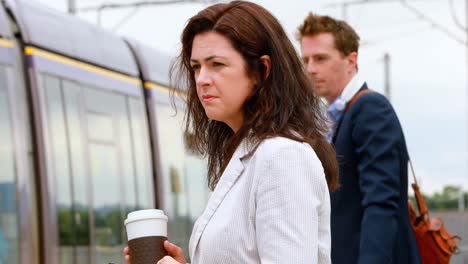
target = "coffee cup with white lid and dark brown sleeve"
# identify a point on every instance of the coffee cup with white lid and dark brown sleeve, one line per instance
(146, 232)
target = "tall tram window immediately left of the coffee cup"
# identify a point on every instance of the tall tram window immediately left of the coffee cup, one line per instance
(106, 174)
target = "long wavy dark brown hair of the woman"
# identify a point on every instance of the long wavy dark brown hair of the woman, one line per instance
(283, 102)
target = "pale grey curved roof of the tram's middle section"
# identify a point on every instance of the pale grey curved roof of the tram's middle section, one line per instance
(67, 35)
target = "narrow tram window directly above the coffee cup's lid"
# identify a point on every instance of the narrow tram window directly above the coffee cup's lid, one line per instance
(142, 153)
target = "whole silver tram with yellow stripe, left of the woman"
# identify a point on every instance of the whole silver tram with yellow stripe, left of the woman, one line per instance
(87, 134)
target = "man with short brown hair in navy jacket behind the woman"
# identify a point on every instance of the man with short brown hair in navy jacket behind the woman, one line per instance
(369, 212)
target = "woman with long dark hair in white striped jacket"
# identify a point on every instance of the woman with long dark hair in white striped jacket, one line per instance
(253, 112)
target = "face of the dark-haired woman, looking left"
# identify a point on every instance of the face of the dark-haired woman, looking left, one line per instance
(221, 78)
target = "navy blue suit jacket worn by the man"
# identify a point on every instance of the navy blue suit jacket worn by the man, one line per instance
(369, 212)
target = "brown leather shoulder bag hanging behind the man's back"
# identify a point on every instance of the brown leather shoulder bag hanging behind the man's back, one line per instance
(436, 245)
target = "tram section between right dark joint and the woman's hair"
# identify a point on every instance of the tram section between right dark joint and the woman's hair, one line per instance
(181, 183)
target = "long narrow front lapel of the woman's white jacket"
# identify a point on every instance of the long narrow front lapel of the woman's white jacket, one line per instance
(233, 170)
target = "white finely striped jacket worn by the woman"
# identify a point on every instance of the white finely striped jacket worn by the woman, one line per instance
(271, 207)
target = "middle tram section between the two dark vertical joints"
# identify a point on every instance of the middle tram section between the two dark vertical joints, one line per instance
(91, 133)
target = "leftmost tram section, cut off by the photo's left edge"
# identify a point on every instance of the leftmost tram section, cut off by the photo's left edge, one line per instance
(18, 228)
